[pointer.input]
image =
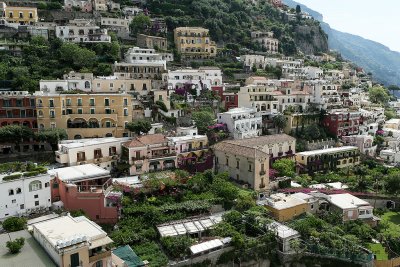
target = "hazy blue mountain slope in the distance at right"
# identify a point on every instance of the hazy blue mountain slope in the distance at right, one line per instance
(372, 56)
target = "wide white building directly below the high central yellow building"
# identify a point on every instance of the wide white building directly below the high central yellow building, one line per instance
(202, 78)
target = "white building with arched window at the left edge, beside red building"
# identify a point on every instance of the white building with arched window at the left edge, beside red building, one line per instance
(24, 195)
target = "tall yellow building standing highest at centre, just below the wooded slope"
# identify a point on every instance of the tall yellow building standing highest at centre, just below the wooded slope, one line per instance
(194, 43)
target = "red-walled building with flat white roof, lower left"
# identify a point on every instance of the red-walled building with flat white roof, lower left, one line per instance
(87, 187)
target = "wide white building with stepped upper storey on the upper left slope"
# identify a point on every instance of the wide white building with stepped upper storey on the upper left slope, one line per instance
(82, 31)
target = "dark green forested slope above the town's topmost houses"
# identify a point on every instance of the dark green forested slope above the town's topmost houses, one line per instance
(230, 22)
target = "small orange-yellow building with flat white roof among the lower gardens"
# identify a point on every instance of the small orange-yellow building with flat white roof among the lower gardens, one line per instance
(284, 208)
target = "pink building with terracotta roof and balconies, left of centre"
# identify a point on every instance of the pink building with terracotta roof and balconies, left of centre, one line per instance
(150, 153)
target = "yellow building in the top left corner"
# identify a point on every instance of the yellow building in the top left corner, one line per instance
(20, 15)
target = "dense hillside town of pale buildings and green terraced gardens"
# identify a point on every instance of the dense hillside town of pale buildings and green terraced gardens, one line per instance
(183, 152)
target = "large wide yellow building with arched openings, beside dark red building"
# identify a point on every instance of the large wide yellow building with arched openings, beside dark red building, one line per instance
(85, 115)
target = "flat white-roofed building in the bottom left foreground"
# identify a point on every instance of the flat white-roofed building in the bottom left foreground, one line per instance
(73, 241)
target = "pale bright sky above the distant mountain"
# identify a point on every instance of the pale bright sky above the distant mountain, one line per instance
(375, 20)
